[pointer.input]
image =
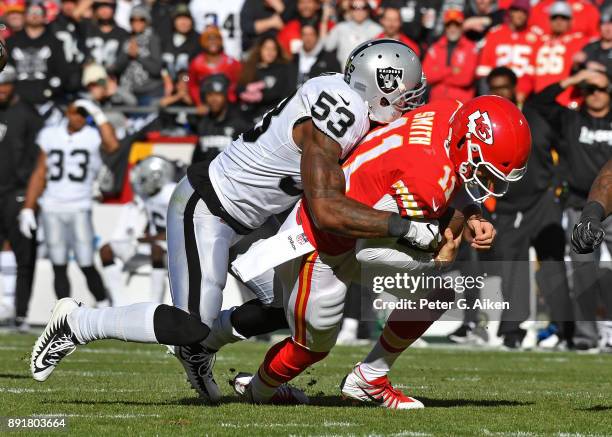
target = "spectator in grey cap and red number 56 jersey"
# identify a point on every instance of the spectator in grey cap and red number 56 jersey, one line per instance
(554, 54)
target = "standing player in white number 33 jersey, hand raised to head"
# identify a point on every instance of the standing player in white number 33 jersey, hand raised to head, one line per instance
(62, 185)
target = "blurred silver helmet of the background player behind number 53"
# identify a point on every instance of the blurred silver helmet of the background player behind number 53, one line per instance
(149, 175)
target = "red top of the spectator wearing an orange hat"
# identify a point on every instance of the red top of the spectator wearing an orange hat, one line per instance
(199, 69)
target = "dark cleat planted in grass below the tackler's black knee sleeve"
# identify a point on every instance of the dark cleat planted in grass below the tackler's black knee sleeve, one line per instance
(198, 363)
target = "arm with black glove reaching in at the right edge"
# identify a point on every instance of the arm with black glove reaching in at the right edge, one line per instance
(589, 233)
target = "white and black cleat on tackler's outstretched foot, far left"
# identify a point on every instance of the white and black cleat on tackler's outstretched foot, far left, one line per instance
(56, 342)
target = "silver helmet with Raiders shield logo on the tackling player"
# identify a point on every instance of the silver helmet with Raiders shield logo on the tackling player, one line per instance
(389, 77)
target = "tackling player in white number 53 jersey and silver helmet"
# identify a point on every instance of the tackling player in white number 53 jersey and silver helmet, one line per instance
(295, 149)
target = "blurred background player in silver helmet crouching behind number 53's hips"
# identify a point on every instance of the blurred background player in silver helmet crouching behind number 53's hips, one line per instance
(153, 181)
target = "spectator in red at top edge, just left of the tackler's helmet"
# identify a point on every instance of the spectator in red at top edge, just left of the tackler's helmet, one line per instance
(309, 11)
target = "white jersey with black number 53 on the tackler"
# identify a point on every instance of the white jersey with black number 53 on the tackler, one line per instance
(259, 173)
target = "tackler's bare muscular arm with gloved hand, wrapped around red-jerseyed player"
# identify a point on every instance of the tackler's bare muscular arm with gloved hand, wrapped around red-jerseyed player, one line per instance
(324, 188)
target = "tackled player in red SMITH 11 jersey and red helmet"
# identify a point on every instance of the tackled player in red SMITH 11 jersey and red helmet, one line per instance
(414, 166)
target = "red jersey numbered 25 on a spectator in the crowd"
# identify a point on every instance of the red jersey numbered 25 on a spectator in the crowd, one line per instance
(506, 47)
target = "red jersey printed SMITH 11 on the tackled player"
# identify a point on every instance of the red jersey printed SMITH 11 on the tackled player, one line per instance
(404, 162)
